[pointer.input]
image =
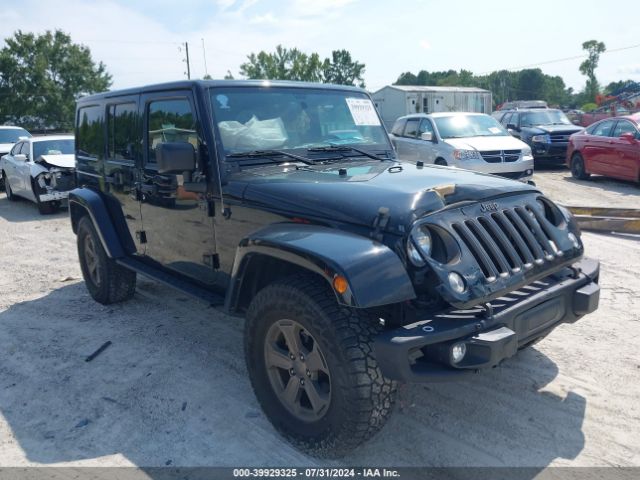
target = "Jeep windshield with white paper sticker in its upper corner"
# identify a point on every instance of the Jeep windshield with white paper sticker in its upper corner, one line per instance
(270, 118)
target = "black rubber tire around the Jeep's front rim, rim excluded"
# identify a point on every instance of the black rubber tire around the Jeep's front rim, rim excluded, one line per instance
(361, 397)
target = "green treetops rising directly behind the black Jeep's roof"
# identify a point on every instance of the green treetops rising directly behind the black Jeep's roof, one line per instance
(292, 64)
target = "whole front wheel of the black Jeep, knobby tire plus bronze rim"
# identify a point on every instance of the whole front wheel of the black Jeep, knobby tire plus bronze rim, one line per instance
(312, 367)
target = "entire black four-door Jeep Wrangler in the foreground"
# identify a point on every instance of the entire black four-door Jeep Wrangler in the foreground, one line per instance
(284, 203)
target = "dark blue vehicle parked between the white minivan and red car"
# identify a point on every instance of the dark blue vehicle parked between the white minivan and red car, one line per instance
(545, 130)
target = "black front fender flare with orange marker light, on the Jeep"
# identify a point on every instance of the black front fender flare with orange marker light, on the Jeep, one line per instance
(375, 274)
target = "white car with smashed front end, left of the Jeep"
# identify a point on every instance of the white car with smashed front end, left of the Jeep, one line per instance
(40, 169)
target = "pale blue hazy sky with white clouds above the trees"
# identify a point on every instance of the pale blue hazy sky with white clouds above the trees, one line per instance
(142, 42)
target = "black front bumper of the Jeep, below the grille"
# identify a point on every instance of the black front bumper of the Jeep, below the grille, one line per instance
(420, 352)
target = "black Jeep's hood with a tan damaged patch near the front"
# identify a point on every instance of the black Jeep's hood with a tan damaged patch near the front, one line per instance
(355, 197)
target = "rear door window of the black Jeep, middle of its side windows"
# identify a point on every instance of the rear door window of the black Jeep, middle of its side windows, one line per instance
(121, 131)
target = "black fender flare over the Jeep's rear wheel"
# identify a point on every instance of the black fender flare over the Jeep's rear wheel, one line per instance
(115, 244)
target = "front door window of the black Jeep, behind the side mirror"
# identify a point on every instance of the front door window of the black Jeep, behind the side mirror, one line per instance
(170, 121)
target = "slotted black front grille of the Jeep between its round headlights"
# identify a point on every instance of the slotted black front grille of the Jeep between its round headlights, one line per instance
(508, 241)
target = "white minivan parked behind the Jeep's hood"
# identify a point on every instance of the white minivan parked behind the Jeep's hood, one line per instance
(473, 141)
